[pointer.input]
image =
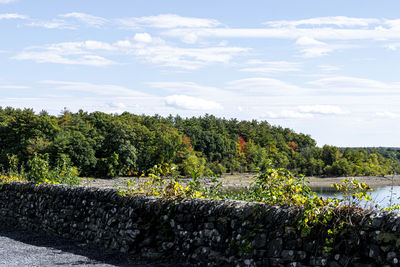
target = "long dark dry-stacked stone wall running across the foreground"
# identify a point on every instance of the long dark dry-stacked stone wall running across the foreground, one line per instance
(213, 232)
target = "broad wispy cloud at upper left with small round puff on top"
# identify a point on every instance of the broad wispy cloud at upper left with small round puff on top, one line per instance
(156, 52)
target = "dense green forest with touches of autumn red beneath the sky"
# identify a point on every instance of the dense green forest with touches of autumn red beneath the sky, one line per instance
(107, 145)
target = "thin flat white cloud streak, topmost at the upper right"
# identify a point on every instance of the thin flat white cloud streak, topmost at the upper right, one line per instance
(340, 21)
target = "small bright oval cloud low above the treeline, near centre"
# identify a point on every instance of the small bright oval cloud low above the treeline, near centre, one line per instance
(191, 103)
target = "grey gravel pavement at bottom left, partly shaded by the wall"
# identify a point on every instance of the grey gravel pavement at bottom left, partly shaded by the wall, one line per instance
(25, 248)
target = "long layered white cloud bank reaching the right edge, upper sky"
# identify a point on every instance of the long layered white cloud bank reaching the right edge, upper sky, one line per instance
(312, 40)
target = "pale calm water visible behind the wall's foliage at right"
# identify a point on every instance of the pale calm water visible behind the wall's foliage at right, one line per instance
(383, 196)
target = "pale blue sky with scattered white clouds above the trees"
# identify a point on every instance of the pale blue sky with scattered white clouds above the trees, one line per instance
(330, 69)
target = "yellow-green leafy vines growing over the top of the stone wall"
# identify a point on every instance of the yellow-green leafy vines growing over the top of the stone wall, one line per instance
(275, 186)
